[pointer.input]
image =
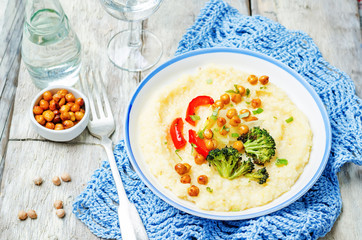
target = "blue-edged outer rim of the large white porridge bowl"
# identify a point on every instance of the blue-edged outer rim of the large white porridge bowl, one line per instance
(279, 64)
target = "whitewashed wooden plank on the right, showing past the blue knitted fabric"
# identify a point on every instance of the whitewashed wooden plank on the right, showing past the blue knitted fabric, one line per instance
(334, 26)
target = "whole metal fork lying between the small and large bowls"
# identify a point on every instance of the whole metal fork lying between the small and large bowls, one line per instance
(101, 125)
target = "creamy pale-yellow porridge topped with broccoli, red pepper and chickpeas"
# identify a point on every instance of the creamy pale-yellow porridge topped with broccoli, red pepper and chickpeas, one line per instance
(224, 139)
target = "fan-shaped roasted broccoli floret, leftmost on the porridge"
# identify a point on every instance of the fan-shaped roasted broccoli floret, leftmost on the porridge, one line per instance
(228, 162)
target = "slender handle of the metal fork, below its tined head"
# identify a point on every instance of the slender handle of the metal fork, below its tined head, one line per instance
(130, 222)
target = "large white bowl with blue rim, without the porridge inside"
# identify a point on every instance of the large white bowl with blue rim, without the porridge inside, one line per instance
(298, 90)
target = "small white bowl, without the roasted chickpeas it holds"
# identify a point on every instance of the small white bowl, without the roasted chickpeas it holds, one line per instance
(60, 135)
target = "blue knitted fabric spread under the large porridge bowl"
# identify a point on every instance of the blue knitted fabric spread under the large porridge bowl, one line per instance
(310, 217)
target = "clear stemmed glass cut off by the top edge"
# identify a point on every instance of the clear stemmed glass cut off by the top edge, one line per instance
(126, 49)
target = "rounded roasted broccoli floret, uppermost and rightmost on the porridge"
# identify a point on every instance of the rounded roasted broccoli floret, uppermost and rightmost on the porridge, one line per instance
(259, 145)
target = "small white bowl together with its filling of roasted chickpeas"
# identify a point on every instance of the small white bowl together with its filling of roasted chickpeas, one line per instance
(59, 113)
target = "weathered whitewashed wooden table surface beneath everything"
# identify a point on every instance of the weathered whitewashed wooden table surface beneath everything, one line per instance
(334, 26)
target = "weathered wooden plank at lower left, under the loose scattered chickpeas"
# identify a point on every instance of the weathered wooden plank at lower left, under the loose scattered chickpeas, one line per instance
(29, 159)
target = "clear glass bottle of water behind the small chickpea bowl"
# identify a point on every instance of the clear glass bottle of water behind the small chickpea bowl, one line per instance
(50, 50)
